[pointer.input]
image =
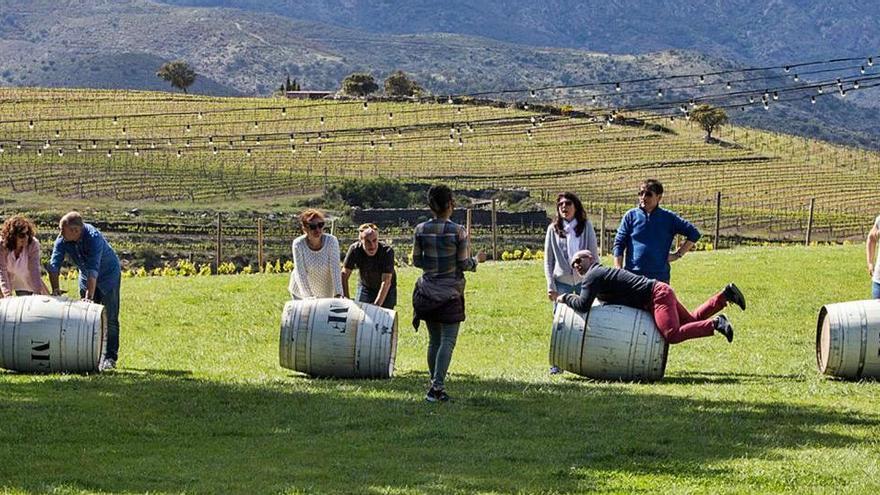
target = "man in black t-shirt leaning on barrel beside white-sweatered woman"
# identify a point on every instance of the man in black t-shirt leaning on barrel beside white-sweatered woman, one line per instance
(374, 260)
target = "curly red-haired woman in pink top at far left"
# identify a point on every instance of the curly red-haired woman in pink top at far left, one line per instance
(20, 258)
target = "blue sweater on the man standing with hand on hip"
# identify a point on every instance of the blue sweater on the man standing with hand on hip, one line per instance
(648, 238)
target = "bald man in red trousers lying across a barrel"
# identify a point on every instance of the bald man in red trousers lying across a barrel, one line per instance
(674, 321)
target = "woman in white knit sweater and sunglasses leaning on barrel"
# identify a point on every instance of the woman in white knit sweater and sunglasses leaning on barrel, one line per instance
(316, 271)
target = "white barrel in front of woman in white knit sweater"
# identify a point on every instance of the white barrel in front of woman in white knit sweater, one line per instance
(339, 338)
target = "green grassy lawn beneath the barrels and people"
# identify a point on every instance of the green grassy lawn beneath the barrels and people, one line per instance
(200, 404)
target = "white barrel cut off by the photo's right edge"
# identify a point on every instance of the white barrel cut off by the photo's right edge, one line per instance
(848, 339)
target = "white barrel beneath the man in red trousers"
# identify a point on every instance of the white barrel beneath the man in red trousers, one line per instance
(616, 343)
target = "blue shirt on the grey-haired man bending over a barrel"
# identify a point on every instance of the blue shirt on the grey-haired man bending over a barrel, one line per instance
(92, 255)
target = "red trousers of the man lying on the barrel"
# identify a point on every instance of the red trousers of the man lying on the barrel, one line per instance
(675, 322)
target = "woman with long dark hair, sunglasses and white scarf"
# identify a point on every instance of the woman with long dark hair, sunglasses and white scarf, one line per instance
(569, 233)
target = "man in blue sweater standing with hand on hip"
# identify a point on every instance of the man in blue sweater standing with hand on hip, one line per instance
(645, 235)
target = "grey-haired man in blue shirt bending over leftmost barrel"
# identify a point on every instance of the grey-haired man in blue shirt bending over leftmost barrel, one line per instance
(99, 273)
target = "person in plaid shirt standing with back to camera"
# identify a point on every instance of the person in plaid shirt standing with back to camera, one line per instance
(440, 248)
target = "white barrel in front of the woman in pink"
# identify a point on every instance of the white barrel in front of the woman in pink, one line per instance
(48, 334)
